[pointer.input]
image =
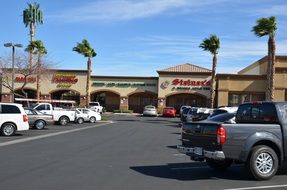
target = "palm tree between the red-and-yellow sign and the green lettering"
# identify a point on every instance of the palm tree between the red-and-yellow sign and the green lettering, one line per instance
(86, 50)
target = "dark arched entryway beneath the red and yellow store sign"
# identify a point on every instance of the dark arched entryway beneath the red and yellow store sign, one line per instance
(66, 94)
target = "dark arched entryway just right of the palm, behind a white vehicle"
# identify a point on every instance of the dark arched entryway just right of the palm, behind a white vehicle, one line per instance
(108, 99)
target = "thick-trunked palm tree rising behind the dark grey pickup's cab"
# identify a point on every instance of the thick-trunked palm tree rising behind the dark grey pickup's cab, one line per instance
(263, 27)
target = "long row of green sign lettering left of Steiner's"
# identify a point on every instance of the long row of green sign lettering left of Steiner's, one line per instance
(122, 84)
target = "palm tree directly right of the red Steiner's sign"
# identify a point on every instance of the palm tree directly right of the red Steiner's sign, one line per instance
(212, 44)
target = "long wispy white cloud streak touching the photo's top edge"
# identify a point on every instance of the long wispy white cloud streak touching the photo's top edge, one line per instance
(117, 10)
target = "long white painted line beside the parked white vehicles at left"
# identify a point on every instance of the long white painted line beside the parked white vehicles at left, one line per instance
(49, 135)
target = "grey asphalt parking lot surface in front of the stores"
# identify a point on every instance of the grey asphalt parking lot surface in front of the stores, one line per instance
(132, 152)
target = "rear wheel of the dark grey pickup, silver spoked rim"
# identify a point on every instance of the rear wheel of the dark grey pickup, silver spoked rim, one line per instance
(262, 163)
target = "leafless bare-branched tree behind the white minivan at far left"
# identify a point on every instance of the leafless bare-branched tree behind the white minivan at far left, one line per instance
(22, 68)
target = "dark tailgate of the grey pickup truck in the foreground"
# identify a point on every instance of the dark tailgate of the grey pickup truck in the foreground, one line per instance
(198, 134)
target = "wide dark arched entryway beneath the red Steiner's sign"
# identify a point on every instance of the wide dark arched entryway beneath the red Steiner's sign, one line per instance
(177, 100)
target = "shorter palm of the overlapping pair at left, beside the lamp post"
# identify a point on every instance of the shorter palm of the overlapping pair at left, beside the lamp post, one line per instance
(38, 48)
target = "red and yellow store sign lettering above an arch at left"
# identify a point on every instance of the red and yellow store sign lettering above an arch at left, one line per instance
(64, 80)
